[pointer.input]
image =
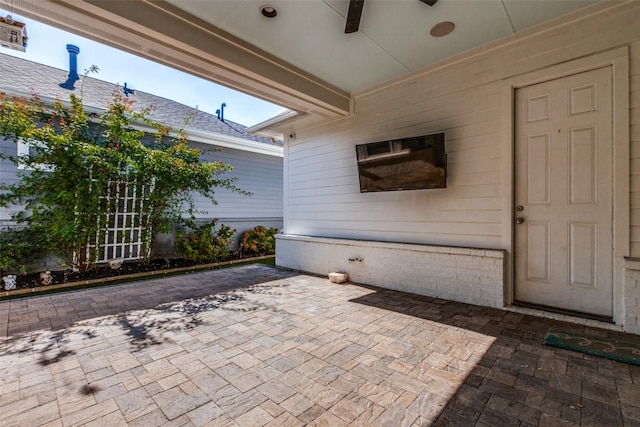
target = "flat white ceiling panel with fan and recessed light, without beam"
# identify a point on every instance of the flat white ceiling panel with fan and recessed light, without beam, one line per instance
(393, 38)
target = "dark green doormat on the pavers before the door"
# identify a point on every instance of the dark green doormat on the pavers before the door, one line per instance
(621, 351)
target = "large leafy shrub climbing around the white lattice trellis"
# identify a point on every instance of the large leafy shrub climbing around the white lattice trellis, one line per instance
(76, 162)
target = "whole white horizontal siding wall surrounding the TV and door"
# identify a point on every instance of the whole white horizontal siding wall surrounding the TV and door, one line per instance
(464, 97)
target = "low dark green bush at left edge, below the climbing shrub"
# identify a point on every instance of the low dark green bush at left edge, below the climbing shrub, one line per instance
(18, 249)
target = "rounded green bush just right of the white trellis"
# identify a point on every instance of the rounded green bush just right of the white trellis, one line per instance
(205, 242)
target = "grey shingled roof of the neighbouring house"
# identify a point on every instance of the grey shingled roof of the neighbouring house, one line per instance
(20, 75)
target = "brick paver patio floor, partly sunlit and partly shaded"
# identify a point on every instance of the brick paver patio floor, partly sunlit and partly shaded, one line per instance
(255, 345)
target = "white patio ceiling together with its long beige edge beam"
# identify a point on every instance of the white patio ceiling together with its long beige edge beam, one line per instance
(301, 59)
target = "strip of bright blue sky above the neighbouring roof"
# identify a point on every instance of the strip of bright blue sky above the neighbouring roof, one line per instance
(47, 45)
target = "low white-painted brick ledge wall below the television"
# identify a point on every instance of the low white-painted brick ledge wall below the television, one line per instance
(470, 275)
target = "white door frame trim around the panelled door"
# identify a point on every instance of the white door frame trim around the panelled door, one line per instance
(618, 59)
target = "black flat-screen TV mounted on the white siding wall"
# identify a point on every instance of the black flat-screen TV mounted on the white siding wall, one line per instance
(414, 163)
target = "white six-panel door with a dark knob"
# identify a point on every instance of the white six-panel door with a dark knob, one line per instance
(563, 193)
